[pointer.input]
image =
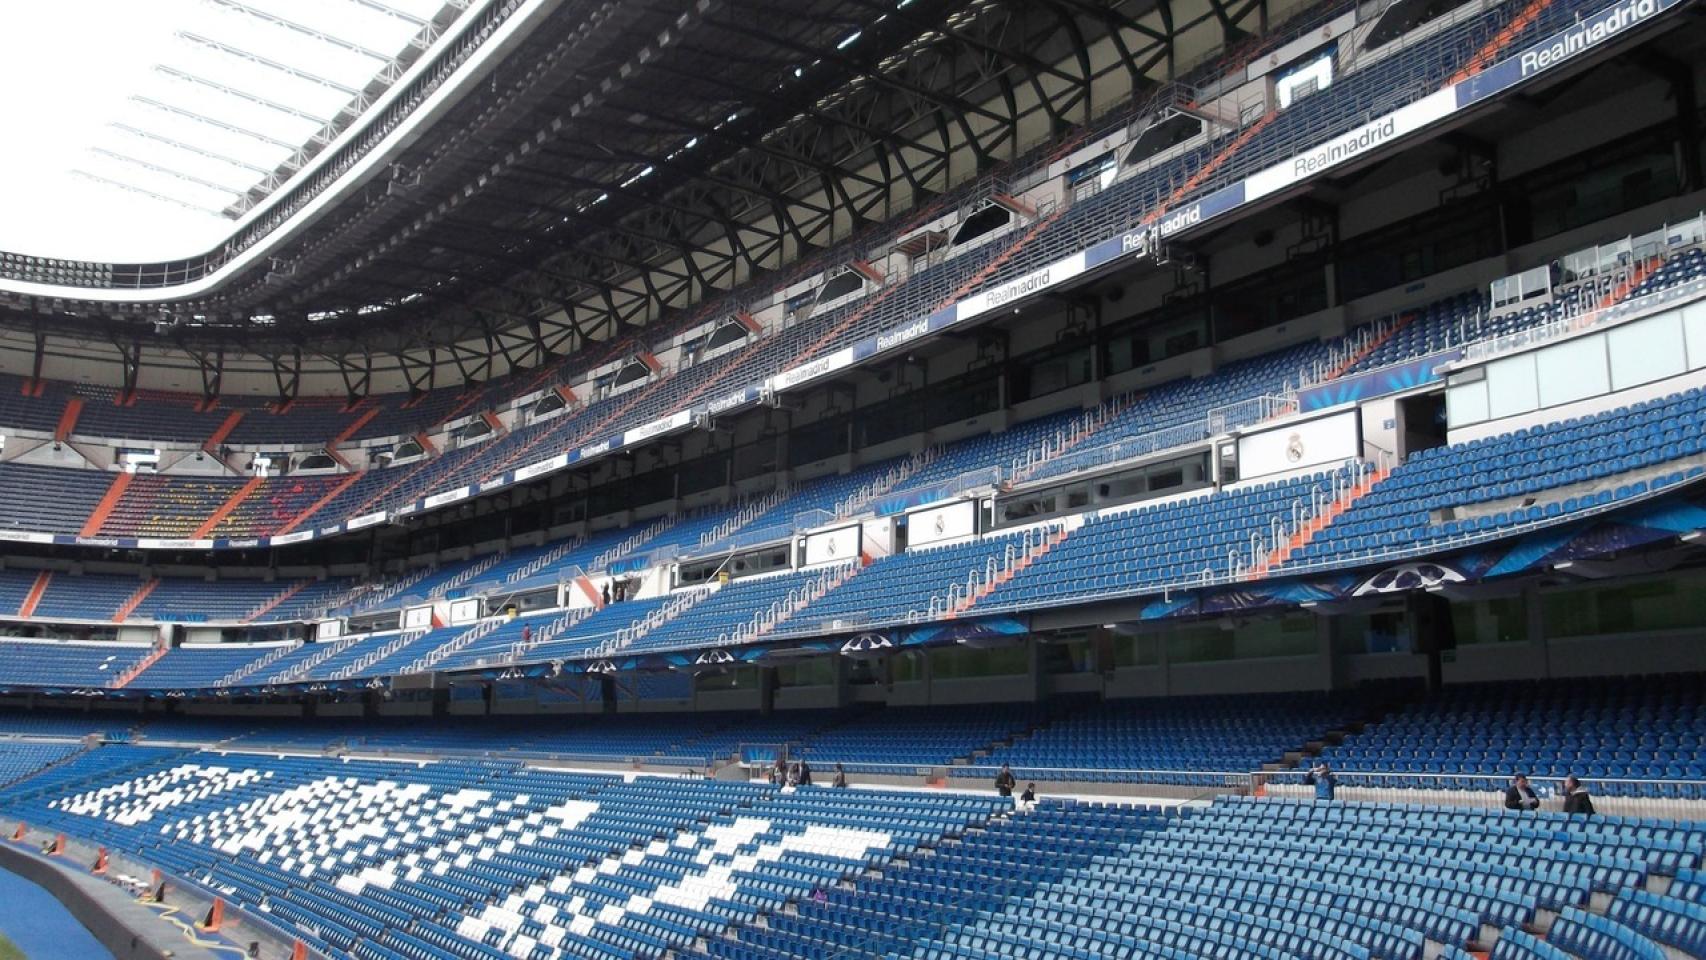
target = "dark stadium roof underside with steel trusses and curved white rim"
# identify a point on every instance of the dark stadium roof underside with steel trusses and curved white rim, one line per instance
(603, 166)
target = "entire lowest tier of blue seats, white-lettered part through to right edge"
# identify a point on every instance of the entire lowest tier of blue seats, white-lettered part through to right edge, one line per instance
(473, 859)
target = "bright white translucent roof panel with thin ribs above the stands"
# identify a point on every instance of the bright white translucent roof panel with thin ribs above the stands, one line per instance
(134, 130)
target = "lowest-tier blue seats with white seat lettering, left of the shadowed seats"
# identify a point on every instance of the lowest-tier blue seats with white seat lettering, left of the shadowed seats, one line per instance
(458, 855)
